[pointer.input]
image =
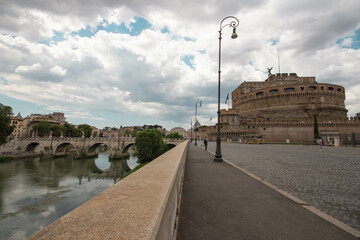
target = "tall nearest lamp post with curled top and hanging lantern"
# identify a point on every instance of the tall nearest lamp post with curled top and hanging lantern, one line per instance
(233, 24)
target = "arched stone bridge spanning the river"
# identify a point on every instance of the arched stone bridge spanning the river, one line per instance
(84, 147)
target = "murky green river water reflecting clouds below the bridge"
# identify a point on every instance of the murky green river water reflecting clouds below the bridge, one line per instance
(34, 192)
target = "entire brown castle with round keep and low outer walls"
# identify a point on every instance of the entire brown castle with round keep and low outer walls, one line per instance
(283, 109)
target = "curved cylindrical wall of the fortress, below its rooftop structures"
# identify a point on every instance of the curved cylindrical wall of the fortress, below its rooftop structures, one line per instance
(326, 99)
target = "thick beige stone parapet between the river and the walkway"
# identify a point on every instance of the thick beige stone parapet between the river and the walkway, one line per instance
(141, 206)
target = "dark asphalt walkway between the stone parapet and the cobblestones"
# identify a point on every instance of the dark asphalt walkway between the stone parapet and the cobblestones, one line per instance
(221, 202)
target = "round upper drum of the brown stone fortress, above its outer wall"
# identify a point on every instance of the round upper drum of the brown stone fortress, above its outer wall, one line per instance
(287, 96)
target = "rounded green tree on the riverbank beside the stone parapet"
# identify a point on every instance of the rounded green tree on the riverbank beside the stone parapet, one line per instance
(149, 145)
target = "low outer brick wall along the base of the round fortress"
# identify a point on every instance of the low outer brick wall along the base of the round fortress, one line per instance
(286, 133)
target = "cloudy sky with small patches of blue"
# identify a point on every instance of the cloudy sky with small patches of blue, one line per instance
(135, 62)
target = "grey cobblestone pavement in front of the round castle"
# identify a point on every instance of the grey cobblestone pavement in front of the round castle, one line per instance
(328, 180)
